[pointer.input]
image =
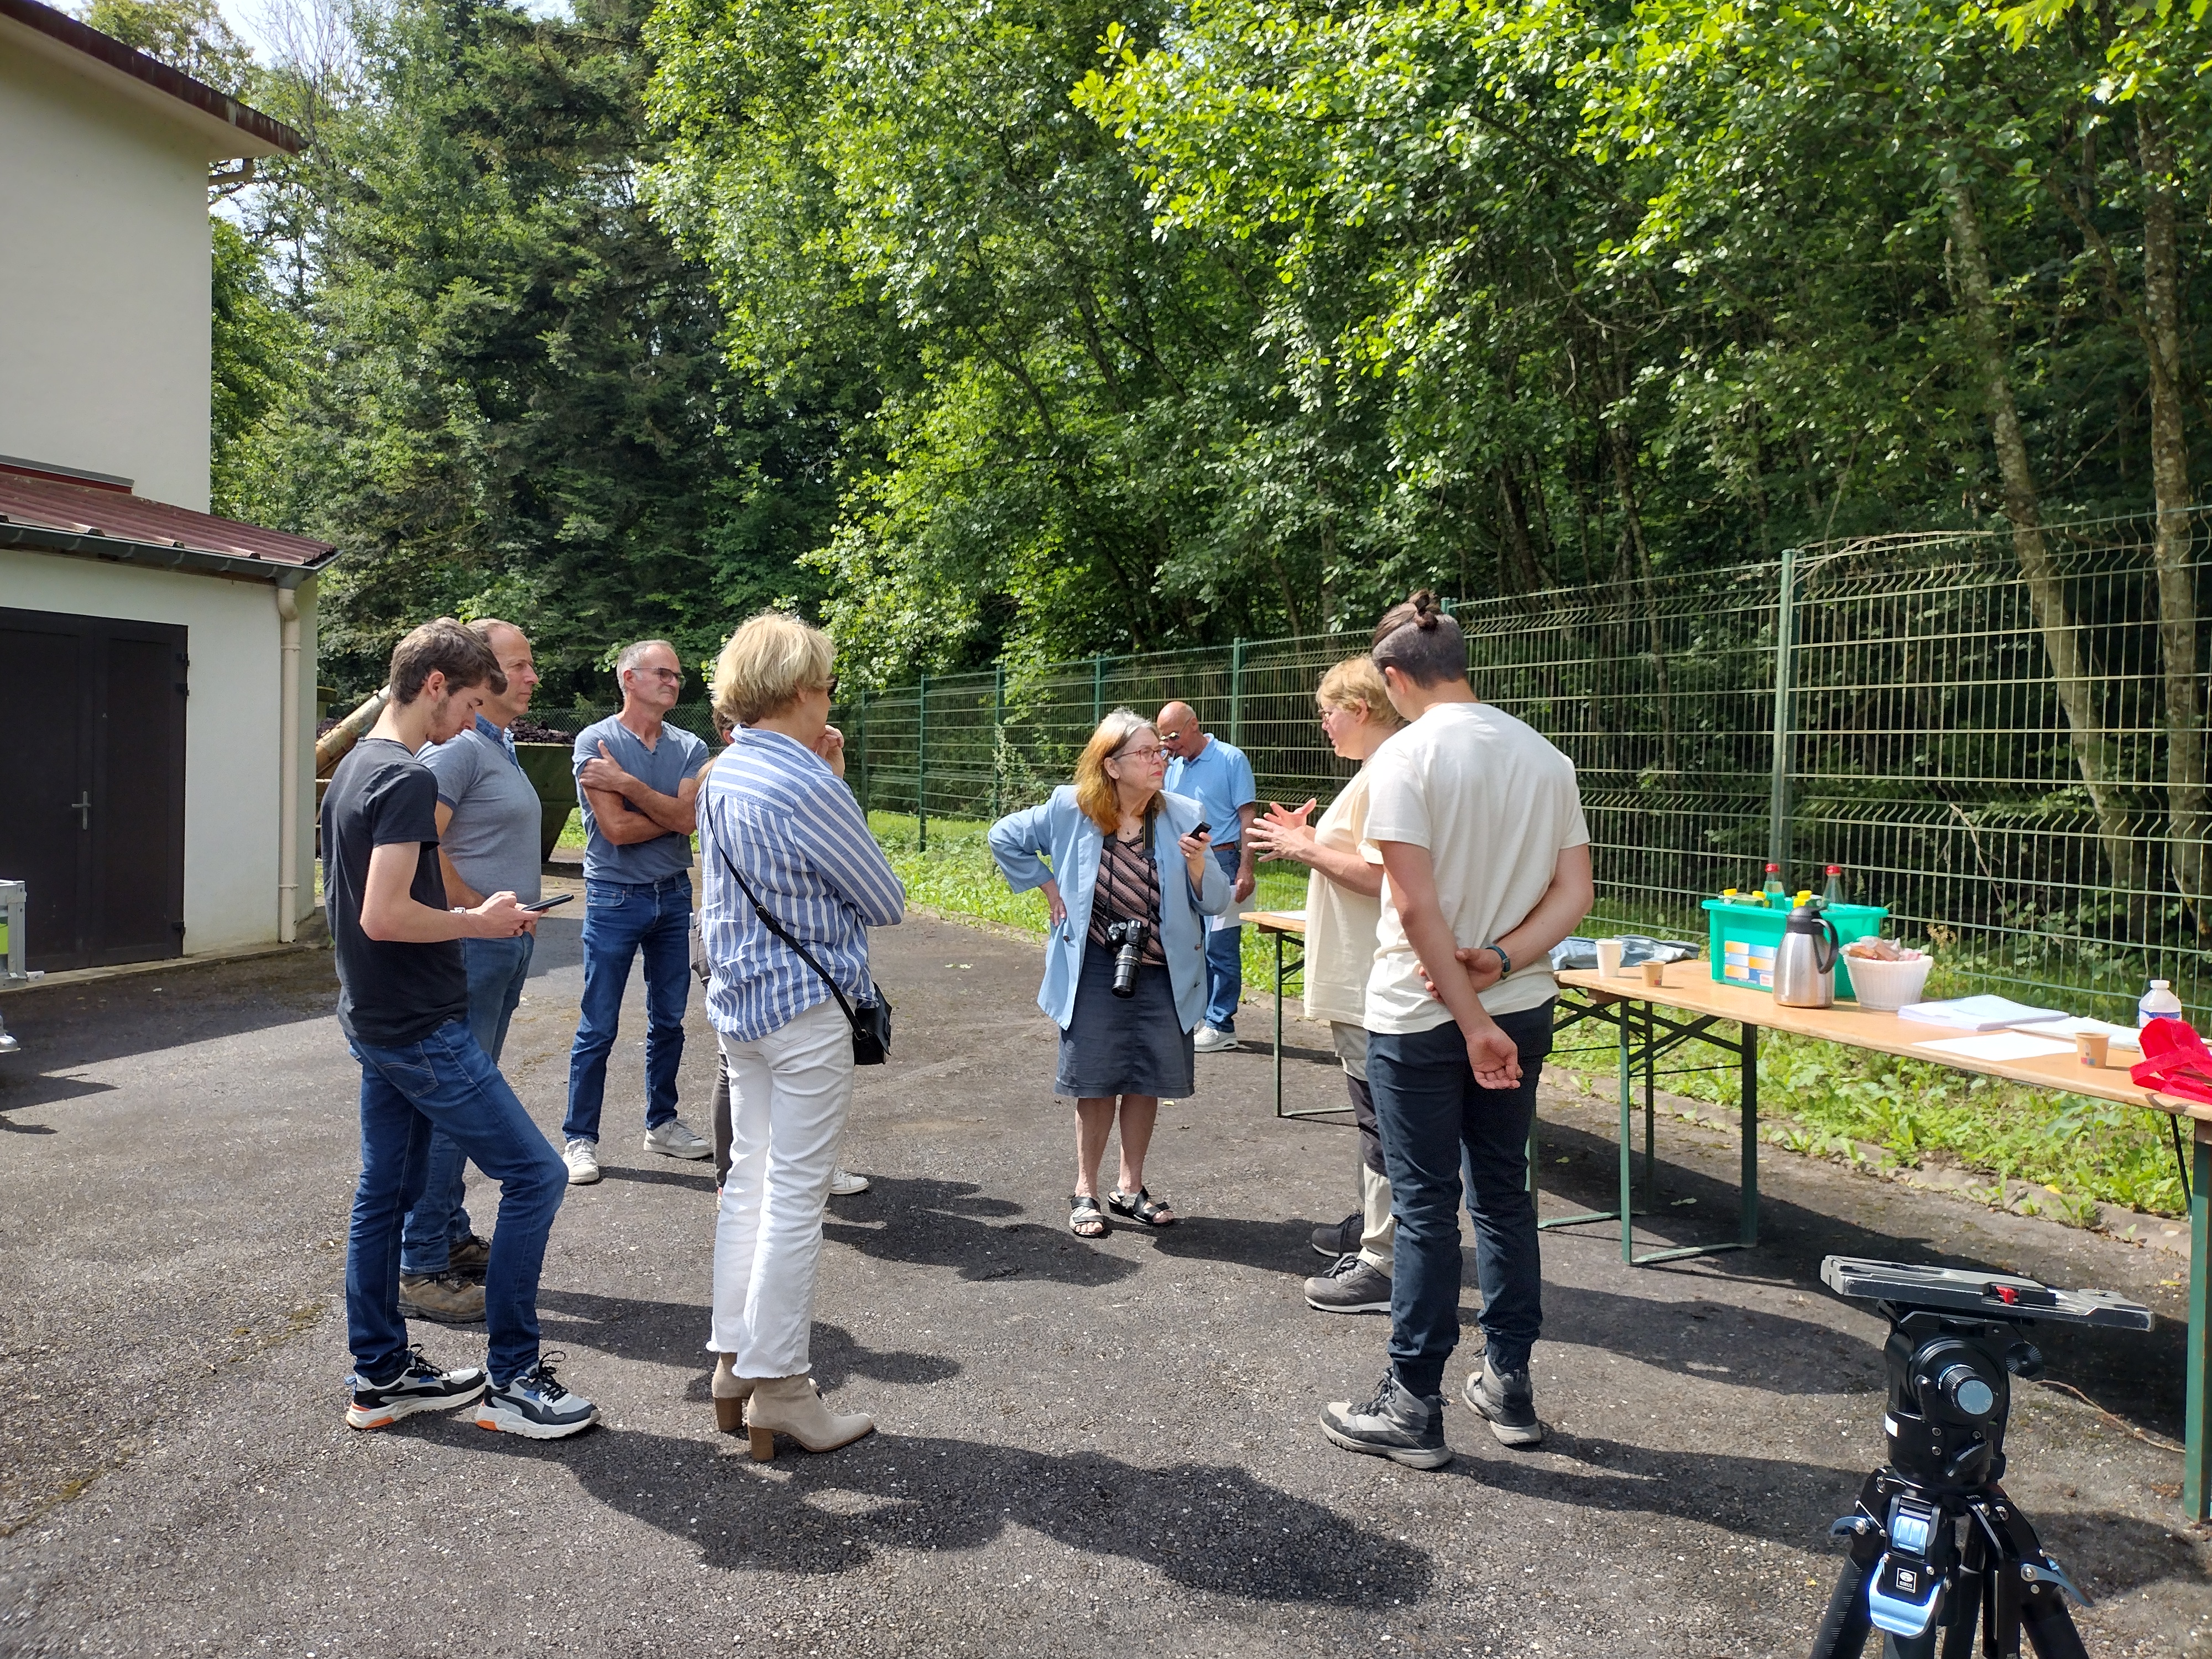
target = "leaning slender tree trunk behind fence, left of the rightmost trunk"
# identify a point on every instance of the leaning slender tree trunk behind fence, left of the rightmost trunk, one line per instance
(2047, 594)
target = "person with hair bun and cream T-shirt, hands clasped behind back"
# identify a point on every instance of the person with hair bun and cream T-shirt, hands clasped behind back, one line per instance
(1488, 864)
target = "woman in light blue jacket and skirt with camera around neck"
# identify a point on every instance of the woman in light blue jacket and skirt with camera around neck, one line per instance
(1131, 873)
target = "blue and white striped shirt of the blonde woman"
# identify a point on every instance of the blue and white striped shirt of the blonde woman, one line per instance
(789, 822)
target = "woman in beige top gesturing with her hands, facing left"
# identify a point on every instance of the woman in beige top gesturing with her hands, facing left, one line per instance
(1344, 904)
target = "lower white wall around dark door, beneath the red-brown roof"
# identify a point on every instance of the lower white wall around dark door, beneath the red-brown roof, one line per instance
(231, 722)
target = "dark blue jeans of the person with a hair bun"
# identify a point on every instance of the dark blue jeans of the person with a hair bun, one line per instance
(1439, 1120)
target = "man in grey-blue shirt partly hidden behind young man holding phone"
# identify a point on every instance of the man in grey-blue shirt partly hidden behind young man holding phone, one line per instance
(488, 844)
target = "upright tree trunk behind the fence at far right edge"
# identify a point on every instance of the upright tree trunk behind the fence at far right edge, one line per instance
(2171, 539)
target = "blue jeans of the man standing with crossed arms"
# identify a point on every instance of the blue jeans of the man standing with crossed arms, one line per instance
(620, 919)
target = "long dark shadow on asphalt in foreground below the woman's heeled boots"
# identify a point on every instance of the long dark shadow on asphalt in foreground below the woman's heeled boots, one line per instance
(1209, 1527)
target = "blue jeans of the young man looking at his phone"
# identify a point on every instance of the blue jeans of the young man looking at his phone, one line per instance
(406, 1094)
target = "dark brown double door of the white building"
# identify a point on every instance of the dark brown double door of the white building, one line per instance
(94, 718)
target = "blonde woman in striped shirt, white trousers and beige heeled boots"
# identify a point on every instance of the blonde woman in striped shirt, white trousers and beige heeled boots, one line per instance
(775, 815)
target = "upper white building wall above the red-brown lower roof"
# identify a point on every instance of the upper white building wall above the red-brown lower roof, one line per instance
(103, 282)
